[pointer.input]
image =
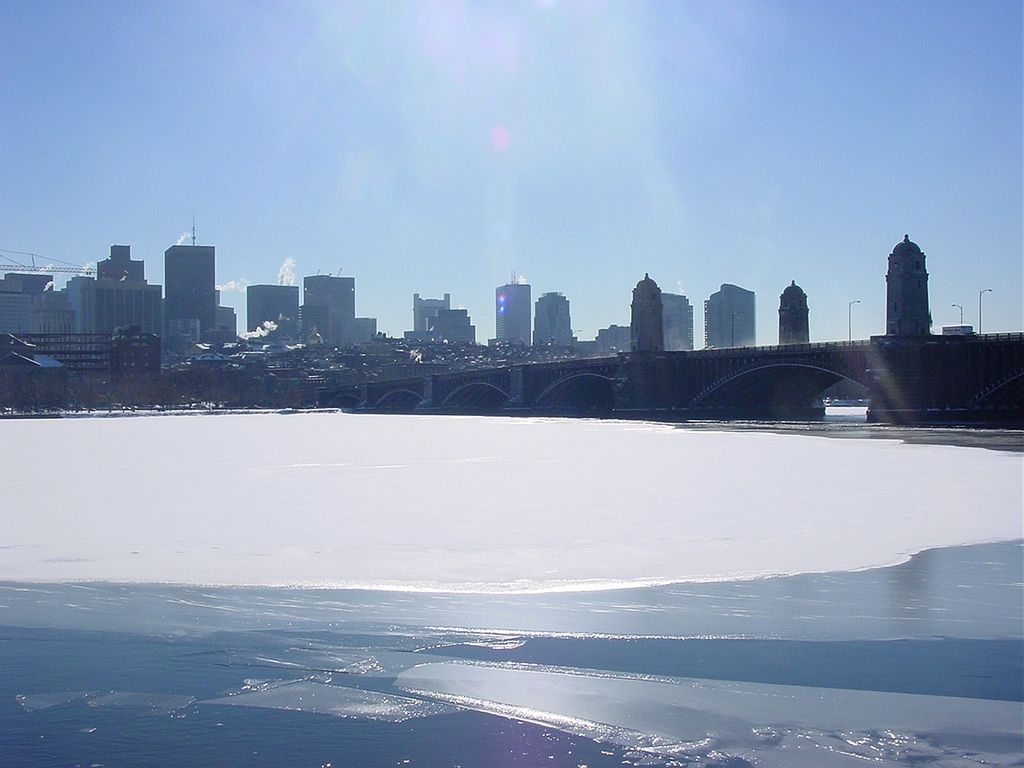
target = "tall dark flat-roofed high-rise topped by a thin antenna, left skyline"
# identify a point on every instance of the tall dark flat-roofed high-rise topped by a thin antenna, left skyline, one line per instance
(190, 288)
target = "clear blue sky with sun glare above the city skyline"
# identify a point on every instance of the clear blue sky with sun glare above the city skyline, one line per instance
(440, 147)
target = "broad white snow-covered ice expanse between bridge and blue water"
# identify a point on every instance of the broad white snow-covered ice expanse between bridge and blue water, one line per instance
(465, 503)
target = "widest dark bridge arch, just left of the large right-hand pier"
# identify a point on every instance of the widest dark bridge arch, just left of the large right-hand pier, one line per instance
(775, 390)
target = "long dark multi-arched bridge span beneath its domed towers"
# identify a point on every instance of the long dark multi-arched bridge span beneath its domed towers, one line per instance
(930, 379)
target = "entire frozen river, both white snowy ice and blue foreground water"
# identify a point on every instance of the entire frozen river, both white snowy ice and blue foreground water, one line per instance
(559, 593)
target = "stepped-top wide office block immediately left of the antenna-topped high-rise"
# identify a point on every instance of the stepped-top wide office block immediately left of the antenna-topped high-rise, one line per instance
(118, 297)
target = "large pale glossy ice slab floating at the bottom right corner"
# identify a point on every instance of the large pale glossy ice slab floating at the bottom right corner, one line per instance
(708, 722)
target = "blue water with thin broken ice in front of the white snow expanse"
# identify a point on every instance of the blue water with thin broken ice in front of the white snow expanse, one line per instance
(167, 675)
